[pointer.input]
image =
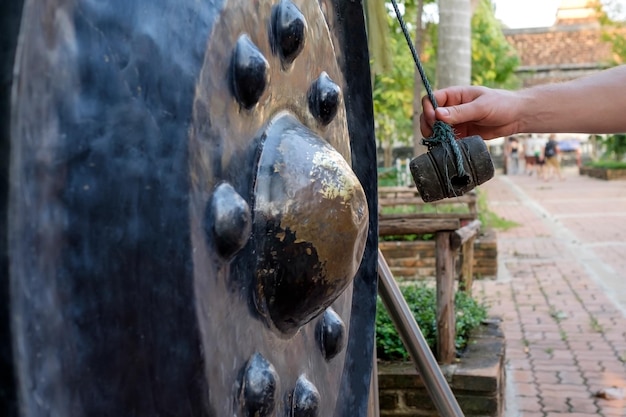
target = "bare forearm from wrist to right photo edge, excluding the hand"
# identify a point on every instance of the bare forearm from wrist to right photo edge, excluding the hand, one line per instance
(593, 104)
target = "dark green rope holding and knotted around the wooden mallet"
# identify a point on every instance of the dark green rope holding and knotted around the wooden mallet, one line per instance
(443, 133)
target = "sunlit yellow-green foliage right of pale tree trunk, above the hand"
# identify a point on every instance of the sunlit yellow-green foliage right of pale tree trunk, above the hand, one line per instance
(494, 60)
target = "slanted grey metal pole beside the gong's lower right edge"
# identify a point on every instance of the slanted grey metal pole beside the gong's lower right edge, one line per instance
(414, 341)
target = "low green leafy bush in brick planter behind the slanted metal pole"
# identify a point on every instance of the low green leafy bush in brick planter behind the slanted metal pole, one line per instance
(423, 301)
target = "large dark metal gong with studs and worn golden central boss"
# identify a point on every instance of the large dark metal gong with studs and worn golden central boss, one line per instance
(188, 198)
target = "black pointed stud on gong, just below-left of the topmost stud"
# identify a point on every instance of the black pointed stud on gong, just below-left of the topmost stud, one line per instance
(250, 72)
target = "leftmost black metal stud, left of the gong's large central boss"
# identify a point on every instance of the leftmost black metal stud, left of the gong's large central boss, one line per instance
(230, 220)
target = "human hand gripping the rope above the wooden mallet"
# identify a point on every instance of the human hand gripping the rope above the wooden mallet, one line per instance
(482, 111)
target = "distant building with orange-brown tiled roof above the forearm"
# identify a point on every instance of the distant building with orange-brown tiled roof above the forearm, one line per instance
(571, 48)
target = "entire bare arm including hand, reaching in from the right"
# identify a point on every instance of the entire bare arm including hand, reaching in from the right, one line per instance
(593, 104)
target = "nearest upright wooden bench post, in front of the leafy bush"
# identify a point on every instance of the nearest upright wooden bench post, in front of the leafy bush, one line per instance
(446, 324)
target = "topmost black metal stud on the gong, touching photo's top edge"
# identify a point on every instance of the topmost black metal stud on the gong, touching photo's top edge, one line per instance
(288, 31)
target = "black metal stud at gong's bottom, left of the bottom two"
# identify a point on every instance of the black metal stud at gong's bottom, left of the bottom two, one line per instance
(259, 385)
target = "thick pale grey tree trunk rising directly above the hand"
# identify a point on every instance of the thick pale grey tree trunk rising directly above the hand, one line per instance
(454, 60)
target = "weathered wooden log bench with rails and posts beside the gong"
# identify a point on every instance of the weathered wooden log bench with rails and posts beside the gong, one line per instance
(453, 231)
